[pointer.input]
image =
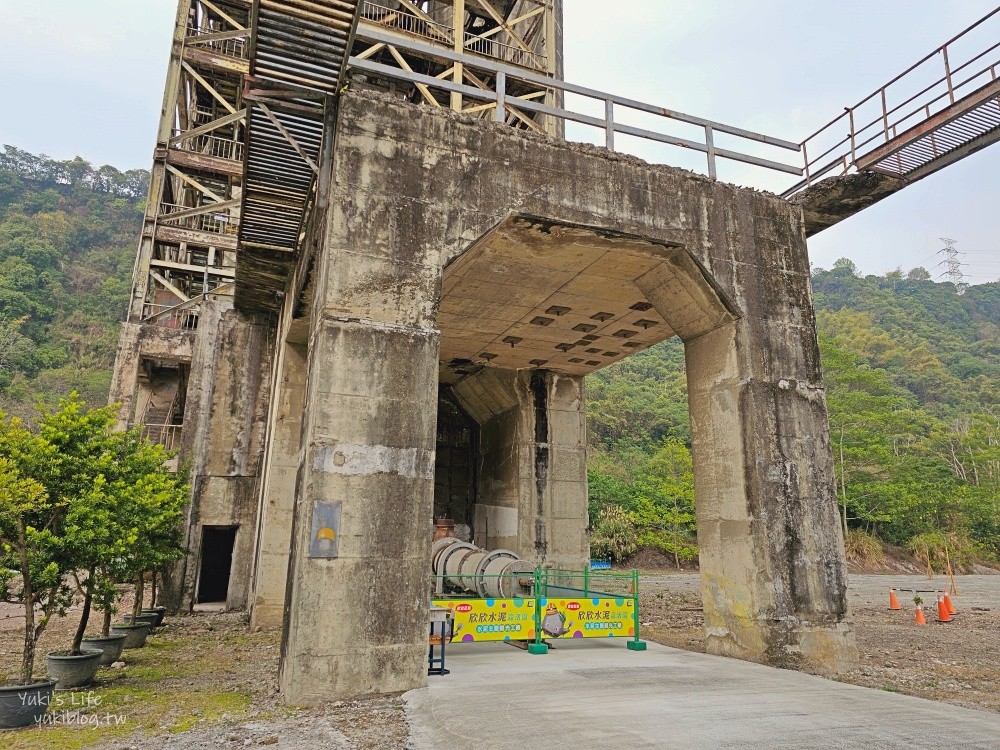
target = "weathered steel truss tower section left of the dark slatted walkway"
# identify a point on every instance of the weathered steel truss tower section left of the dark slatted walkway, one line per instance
(187, 249)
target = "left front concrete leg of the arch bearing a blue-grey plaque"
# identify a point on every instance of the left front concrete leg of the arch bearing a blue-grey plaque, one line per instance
(359, 573)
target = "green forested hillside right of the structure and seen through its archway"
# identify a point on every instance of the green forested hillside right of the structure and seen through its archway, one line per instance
(912, 372)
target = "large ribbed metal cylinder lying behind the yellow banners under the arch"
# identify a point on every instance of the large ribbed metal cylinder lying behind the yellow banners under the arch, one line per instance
(496, 574)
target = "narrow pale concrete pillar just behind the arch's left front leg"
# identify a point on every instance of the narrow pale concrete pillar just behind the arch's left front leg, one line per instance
(277, 504)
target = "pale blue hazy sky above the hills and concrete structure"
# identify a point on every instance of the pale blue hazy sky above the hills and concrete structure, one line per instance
(86, 78)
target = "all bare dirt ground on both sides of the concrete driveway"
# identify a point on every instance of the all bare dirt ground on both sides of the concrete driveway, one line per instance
(206, 681)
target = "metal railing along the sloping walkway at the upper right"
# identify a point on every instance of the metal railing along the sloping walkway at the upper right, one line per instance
(927, 87)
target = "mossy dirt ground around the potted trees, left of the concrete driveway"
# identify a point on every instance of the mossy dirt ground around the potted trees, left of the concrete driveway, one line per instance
(201, 681)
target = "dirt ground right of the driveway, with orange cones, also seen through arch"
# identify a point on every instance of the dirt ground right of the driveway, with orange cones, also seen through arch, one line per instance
(957, 663)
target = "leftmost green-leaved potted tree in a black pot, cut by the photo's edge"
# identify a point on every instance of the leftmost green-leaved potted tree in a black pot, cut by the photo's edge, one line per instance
(30, 569)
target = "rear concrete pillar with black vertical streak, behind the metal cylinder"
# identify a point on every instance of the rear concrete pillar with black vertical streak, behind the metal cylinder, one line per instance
(532, 495)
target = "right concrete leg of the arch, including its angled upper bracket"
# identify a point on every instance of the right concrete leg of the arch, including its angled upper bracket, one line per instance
(770, 548)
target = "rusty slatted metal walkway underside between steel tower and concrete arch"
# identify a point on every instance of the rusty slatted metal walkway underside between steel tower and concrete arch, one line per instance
(298, 55)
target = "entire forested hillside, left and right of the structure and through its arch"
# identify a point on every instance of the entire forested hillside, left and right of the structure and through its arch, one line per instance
(912, 371)
